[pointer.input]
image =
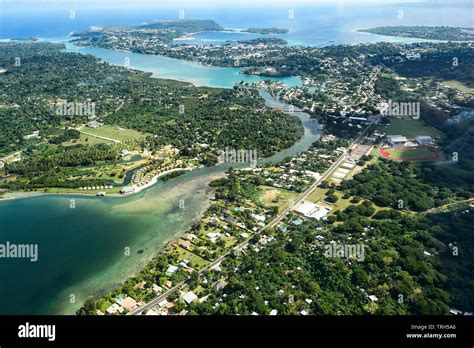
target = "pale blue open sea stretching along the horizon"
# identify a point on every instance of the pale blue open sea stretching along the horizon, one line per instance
(322, 24)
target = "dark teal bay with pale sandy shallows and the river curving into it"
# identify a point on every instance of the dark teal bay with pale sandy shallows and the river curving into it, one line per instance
(82, 250)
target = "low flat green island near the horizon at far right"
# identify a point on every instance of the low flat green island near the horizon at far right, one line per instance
(428, 33)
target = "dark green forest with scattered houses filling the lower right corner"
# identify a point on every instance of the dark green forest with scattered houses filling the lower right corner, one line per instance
(409, 266)
